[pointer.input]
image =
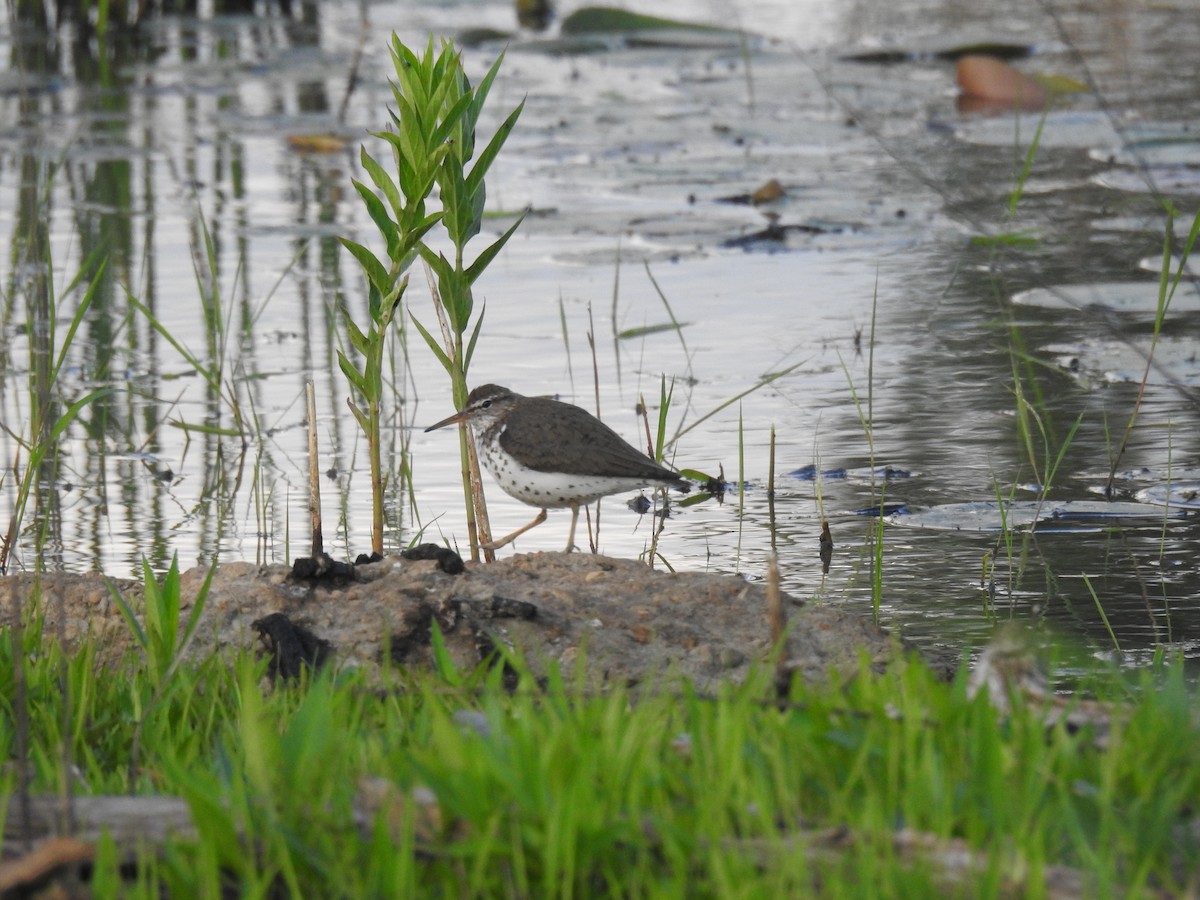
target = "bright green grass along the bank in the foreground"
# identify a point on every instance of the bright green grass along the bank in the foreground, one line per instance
(449, 784)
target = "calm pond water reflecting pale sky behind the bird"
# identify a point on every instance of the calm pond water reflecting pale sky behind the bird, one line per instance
(171, 164)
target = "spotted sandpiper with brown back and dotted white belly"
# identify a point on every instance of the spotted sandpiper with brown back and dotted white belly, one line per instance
(553, 455)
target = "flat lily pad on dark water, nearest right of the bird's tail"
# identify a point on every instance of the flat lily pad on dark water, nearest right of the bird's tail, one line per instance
(994, 517)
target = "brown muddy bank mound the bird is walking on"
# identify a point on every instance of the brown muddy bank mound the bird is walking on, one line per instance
(626, 623)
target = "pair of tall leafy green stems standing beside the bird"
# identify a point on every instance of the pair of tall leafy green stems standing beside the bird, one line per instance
(433, 141)
